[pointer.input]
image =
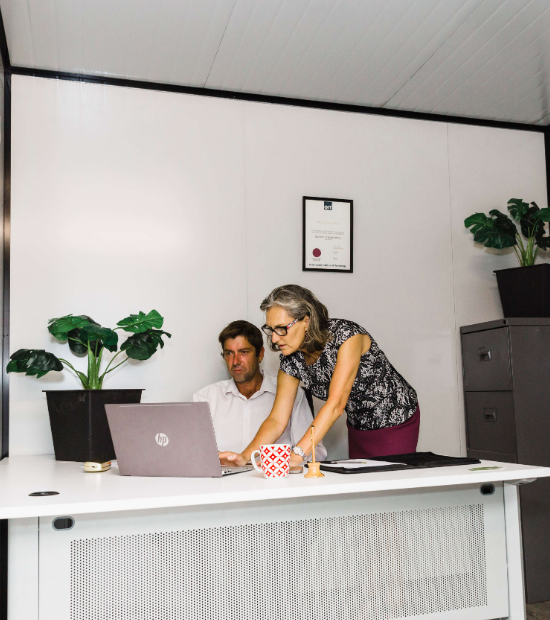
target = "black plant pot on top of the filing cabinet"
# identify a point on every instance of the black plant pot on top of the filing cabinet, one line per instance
(525, 291)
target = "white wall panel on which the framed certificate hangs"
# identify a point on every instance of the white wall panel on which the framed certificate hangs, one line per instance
(401, 289)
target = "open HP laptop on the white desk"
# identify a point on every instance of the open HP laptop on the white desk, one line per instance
(166, 439)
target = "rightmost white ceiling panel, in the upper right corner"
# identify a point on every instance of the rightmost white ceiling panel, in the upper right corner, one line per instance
(495, 66)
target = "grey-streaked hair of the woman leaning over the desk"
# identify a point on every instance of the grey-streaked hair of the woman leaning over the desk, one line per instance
(299, 302)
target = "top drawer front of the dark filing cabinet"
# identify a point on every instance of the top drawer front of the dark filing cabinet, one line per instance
(486, 361)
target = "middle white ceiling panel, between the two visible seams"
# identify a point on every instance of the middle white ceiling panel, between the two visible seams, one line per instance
(348, 51)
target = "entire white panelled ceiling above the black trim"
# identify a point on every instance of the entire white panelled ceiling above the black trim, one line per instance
(485, 59)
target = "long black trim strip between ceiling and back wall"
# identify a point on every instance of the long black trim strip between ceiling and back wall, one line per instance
(303, 103)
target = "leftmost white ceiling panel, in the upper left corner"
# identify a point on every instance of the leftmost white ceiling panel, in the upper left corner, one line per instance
(170, 41)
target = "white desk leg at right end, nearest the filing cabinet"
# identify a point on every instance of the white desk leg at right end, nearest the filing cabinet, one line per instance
(514, 553)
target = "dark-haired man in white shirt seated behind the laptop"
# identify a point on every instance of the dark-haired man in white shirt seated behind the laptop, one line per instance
(239, 405)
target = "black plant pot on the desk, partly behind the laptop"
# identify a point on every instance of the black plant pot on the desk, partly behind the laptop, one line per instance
(79, 424)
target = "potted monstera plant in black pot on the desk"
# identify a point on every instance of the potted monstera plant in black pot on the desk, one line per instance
(78, 420)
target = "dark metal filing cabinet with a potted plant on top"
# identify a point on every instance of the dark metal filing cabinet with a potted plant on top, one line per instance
(506, 371)
